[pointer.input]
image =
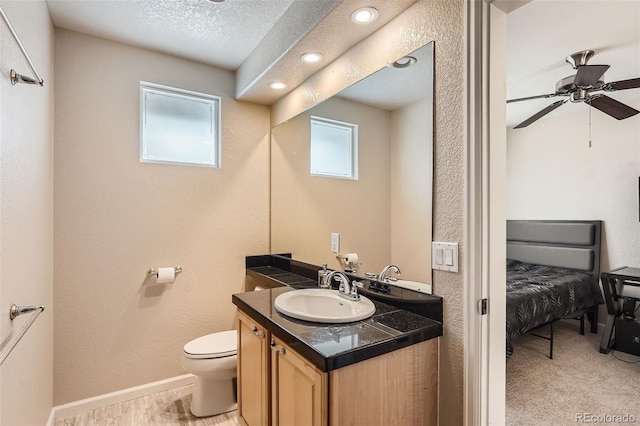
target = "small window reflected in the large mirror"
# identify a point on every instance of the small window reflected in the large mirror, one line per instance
(334, 149)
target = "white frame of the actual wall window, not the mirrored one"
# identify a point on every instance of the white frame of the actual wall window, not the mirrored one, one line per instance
(214, 101)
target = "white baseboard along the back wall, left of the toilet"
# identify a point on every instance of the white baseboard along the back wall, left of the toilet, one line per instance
(88, 404)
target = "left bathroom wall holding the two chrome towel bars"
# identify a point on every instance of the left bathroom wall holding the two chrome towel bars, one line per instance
(26, 212)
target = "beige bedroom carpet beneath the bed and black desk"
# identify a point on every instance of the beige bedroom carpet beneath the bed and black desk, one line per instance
(579, 385)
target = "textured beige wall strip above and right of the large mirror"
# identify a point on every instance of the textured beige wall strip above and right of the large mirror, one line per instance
(444, 22)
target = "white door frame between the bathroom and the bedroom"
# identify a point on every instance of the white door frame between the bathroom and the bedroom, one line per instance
(485, 214)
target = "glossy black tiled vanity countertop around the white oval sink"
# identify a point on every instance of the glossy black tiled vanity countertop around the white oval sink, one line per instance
(332, 346)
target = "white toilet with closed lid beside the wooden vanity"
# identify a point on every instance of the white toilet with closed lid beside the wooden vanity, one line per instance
(213, 360)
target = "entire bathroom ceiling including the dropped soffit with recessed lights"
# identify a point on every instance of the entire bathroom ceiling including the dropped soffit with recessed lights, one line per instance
(261, 39)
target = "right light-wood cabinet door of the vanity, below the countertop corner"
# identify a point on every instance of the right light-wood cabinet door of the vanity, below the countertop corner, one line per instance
(299, 390)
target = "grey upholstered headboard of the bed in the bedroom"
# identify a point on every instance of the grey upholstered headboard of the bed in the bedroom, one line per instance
(573, 244)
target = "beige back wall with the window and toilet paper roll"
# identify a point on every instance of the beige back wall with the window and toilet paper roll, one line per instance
(116, 217)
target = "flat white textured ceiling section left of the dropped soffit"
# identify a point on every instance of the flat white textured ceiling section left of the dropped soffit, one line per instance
(220, 34)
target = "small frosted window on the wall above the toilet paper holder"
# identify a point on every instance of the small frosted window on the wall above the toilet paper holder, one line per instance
(179, 126)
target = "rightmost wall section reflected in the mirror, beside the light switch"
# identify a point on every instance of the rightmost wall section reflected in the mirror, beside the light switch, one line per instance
(411, 189)
